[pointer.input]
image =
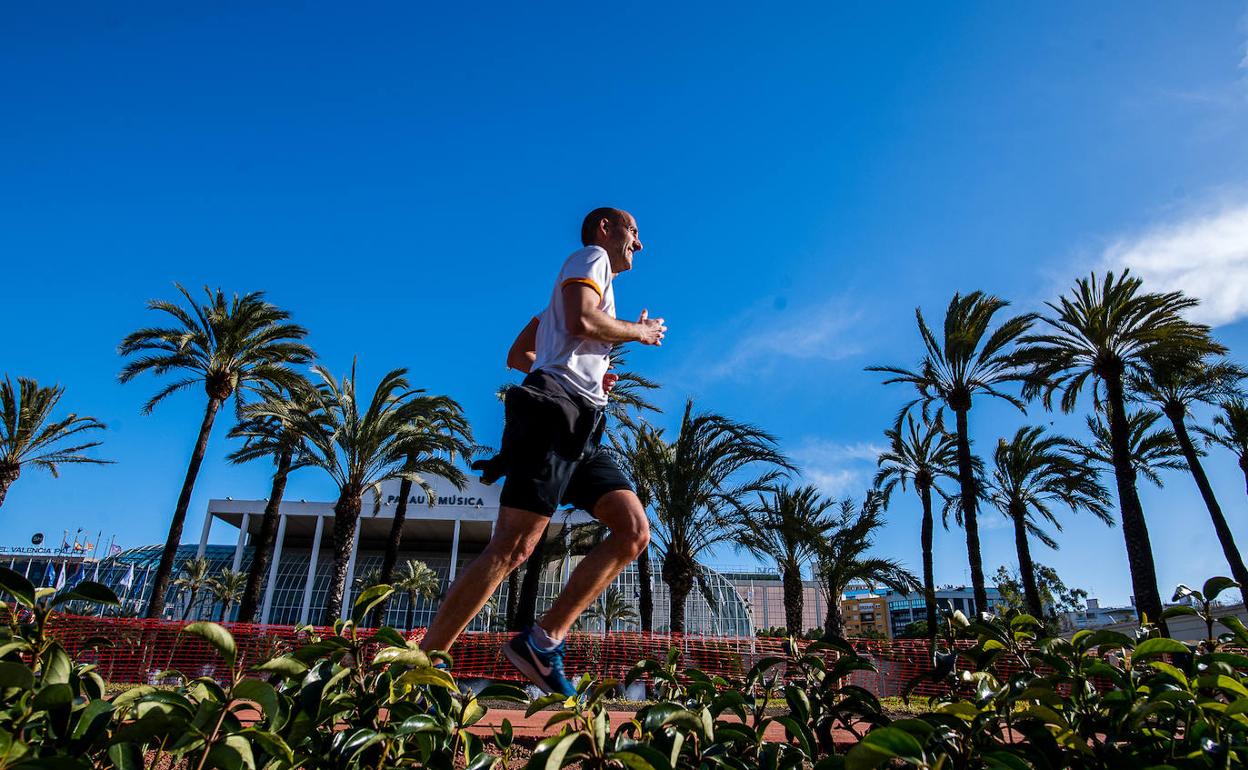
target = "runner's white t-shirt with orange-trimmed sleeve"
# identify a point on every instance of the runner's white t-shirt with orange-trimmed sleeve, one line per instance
(578, 363)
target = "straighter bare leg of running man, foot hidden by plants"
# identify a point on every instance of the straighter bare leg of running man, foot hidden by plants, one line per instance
(516, 535)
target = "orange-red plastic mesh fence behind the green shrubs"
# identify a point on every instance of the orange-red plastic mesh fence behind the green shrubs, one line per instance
(138, 651)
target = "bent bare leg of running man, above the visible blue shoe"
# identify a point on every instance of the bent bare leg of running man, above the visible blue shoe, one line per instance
(622, 514)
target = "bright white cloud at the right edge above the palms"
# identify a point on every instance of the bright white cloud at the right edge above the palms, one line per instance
(1205, 256)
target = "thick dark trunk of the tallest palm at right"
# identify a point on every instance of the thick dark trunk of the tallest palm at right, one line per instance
(1135, 529)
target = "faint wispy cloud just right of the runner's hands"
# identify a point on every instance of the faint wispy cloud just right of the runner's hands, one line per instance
(827, 334)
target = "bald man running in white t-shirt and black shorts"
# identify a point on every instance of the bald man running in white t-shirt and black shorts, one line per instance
(551, 452)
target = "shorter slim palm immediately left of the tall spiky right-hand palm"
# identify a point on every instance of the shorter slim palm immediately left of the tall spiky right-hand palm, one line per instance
(920, 456)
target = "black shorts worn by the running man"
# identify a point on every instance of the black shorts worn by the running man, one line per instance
(552, 450)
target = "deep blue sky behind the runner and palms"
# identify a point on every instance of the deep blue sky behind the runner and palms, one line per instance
(407, 182)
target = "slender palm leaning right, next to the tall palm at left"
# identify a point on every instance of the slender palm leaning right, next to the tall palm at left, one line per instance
(280, 441)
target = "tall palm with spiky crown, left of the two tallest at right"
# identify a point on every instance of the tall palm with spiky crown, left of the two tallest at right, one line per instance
(954, 370)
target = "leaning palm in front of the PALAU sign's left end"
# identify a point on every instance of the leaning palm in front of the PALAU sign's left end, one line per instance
(440, 435)
